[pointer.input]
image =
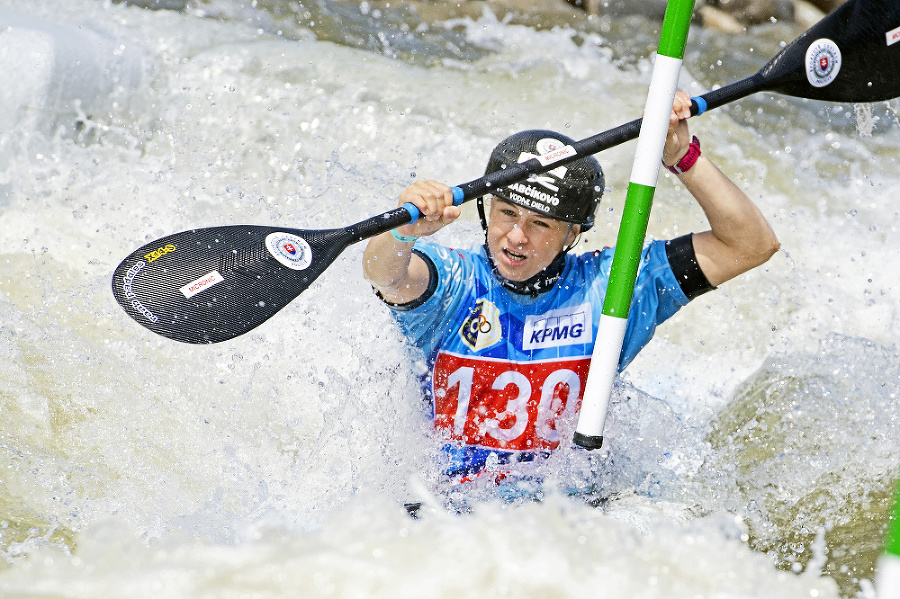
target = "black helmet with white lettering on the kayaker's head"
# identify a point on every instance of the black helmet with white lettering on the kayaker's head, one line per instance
(570, 192)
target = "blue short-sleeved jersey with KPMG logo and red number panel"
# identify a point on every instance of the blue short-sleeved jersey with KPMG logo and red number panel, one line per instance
(506, 367)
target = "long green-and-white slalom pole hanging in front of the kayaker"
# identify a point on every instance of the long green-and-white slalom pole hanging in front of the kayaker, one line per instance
(630, 241)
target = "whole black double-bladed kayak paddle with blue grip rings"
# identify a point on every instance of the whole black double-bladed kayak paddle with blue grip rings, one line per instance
(213, 284)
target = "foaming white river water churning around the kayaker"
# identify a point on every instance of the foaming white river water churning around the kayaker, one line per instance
(751, 448)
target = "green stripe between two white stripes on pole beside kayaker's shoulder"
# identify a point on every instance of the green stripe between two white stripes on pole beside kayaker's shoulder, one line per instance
(629, 244)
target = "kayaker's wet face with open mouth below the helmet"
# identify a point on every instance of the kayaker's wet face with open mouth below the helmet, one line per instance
(523, 242)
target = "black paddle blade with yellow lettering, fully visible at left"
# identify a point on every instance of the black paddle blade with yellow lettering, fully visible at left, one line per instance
(211, 285)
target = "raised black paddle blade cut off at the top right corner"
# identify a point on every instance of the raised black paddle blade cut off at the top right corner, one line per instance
(851, 55)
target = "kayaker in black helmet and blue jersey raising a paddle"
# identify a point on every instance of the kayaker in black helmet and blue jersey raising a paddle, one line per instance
(508, 327)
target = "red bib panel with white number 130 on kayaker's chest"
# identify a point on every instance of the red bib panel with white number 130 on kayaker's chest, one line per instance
(505, 405)
